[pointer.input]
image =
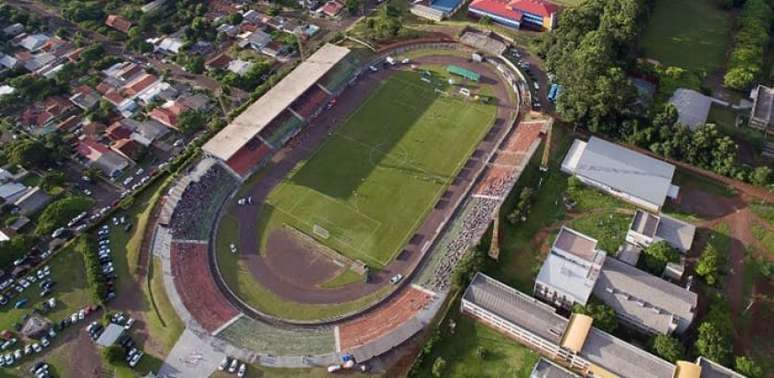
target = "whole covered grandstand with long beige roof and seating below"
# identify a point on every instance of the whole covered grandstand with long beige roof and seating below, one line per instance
(279, 114)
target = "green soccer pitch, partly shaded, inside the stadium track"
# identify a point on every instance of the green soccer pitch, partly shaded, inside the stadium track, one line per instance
(371, 184)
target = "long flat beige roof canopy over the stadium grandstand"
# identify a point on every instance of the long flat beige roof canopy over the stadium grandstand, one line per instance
(248, 124)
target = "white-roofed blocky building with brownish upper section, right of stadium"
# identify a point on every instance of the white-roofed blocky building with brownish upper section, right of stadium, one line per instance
(570, 270)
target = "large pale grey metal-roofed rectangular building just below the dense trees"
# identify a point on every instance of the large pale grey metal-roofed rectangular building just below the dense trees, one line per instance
(629, 175)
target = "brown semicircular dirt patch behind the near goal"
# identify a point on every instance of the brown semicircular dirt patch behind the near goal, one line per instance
(297, 261)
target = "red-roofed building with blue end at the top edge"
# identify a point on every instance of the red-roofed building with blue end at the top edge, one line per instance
(539, 14)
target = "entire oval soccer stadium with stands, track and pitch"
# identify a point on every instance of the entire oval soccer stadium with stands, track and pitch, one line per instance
(360, 171)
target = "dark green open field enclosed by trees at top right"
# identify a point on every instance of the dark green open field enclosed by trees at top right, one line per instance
(692, 34)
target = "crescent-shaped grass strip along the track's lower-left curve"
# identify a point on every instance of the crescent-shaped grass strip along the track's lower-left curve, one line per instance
(239, 278)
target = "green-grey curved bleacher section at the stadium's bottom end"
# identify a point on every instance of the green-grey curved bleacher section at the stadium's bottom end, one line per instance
(258, 336)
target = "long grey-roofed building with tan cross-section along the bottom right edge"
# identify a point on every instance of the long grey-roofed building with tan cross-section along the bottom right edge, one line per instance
(574, 345)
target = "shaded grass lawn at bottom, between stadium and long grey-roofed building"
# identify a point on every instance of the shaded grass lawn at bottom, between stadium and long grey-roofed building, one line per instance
(502, 357)
